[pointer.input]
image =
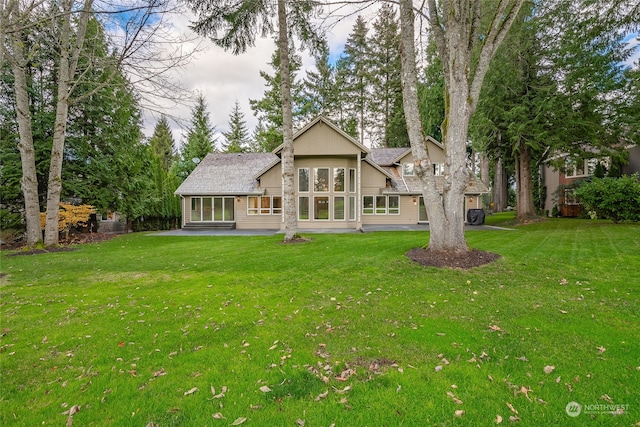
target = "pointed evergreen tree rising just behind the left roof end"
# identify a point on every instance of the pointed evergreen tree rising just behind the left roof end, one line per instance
(200, 140)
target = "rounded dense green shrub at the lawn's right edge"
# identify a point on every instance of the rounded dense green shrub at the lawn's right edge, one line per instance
(615, 198)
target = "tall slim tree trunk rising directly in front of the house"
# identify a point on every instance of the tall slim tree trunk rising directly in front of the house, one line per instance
(288, 184)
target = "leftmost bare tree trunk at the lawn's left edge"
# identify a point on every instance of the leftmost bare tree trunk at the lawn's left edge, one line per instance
(29, 180)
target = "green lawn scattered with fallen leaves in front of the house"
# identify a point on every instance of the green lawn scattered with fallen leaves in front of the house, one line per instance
(342, 330)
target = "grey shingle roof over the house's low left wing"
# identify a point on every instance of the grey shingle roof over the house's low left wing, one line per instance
(226, 174)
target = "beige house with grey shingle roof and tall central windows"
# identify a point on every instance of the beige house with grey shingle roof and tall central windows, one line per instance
(339, 184)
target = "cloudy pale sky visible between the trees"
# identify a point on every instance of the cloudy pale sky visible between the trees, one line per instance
(223, 78)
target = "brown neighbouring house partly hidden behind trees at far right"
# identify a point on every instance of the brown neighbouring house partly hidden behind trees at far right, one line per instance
(559, 182)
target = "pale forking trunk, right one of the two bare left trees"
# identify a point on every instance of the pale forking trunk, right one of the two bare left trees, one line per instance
(70, 48)
